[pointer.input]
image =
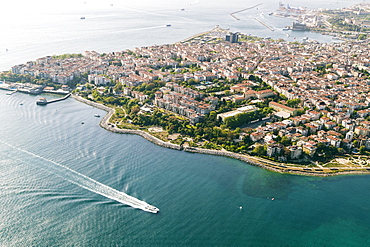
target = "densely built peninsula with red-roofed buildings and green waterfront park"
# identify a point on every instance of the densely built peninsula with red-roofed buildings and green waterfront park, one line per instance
(300, 108)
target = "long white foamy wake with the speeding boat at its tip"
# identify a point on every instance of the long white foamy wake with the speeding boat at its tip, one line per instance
(91, 184)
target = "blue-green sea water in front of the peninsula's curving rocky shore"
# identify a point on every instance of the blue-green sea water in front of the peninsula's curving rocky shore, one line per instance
(199, 195)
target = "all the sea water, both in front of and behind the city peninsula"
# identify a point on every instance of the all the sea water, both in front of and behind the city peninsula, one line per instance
(47, 153)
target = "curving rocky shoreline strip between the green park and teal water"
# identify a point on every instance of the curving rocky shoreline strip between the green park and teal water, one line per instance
(252, 160)
